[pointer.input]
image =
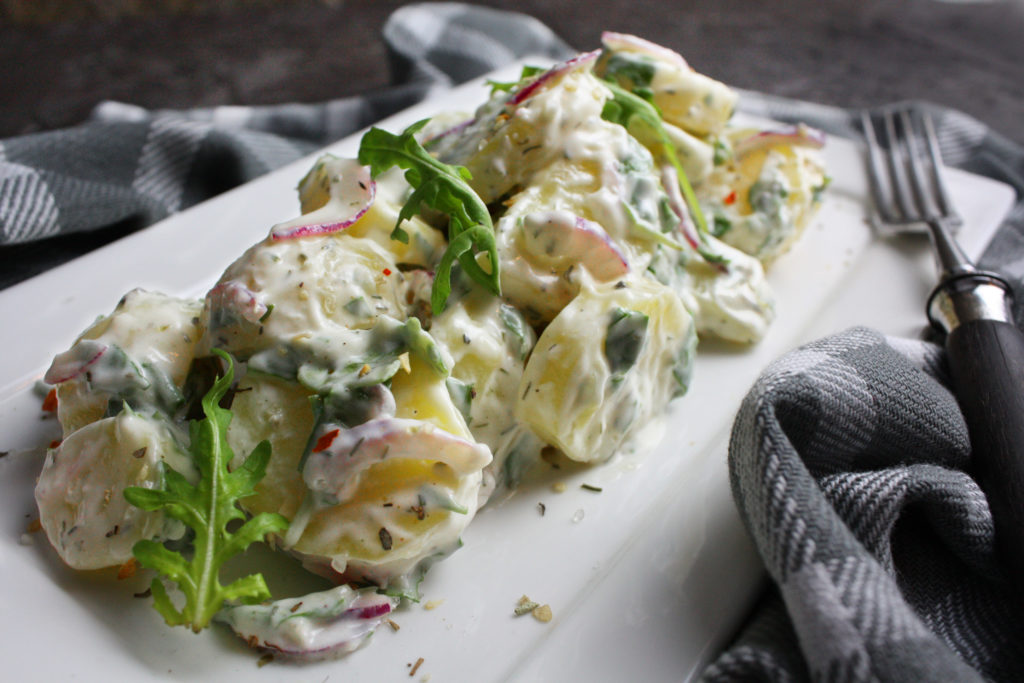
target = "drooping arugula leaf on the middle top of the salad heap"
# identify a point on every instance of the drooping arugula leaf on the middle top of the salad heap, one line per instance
(444, 188)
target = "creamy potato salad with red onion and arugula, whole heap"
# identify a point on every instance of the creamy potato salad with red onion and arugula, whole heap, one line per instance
(466, 295)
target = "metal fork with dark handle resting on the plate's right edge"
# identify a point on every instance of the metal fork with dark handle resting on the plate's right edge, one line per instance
(971, 307)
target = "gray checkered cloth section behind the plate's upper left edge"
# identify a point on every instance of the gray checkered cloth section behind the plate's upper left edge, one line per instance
(130, 167)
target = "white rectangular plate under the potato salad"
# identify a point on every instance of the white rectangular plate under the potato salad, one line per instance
(652, 575)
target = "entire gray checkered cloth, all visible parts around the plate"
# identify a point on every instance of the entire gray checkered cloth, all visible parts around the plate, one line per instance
(848, 459)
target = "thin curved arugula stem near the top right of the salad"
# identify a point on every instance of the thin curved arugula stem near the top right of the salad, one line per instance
(644, 121)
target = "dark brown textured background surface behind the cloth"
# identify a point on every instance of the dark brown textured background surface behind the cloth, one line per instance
(62, 58)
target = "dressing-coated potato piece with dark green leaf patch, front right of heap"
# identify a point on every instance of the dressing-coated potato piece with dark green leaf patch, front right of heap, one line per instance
(609, 363)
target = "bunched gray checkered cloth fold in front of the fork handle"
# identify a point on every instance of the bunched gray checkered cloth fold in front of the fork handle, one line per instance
(849, 461)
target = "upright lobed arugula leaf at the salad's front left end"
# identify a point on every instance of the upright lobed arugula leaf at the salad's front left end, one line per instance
(207, 508)
